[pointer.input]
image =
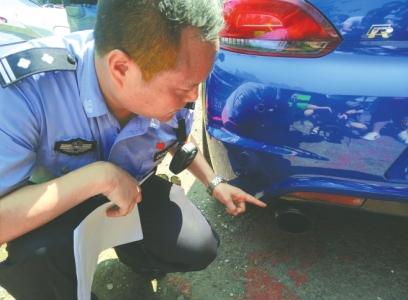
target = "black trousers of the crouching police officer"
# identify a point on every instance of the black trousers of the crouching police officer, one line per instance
(177, 238)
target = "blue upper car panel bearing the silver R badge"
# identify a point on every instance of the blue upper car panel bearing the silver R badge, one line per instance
(377, 27)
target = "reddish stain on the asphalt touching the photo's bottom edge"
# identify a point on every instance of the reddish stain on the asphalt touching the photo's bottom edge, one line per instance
(262, 286)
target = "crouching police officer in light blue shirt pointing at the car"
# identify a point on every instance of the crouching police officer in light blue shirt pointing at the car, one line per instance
(85, 118)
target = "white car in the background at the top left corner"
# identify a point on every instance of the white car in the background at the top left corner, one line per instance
(31, 14)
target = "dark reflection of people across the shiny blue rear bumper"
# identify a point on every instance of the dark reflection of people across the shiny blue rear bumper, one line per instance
(266, 118)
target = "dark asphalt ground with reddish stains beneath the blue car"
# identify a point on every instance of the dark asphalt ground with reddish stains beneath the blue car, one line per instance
(345, 255)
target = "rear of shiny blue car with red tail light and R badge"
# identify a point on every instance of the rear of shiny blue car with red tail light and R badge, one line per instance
(308, 102)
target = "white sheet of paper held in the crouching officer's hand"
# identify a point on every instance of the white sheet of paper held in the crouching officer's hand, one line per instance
(96, 233)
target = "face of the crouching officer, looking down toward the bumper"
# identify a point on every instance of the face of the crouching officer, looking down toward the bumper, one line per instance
(169, 91)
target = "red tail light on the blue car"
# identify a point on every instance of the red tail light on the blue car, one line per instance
(277, 28)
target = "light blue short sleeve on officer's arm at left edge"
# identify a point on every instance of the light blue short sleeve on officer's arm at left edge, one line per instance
(19, 136)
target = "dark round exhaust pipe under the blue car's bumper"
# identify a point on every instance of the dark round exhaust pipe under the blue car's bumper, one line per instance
(292, 219)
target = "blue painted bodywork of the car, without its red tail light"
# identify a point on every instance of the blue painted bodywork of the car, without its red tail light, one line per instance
(335, 124)
